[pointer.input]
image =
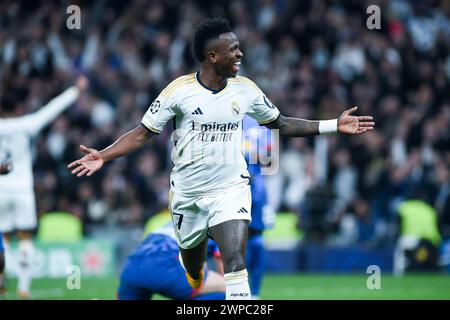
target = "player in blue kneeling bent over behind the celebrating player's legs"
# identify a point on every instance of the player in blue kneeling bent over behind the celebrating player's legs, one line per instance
(154, 267)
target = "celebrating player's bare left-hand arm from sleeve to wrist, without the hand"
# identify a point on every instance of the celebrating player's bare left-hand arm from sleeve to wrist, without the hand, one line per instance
(128, 143)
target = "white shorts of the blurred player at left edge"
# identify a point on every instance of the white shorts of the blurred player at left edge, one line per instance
(17, 211)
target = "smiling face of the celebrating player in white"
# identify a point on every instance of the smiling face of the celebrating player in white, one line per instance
(228, 56)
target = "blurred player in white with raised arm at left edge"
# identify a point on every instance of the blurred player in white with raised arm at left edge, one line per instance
(17, 200)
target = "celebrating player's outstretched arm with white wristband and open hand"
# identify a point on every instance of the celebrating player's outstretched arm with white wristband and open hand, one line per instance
(346, 124)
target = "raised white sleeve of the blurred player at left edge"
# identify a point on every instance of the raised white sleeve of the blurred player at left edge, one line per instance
(34, 122)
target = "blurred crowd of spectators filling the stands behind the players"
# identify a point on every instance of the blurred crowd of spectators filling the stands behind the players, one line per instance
(313, 59)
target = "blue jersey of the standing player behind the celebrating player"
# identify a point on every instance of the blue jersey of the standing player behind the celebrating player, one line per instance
(256, 143)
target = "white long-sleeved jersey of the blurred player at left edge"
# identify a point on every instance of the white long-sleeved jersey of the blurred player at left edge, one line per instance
(16, 136)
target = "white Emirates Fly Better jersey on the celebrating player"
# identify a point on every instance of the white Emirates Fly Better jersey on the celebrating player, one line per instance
(207, 155)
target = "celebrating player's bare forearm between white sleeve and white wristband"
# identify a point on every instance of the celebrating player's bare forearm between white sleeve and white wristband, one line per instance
(294, 127)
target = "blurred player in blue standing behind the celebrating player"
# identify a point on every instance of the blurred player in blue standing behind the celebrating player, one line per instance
(257, 144)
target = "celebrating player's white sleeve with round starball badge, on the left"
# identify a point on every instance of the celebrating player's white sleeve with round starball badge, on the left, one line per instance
(159, 112)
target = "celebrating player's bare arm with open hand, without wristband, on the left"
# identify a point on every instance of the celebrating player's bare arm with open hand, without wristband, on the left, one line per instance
(94, 159)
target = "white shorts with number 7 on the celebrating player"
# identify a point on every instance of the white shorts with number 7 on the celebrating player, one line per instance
(192, 216)
